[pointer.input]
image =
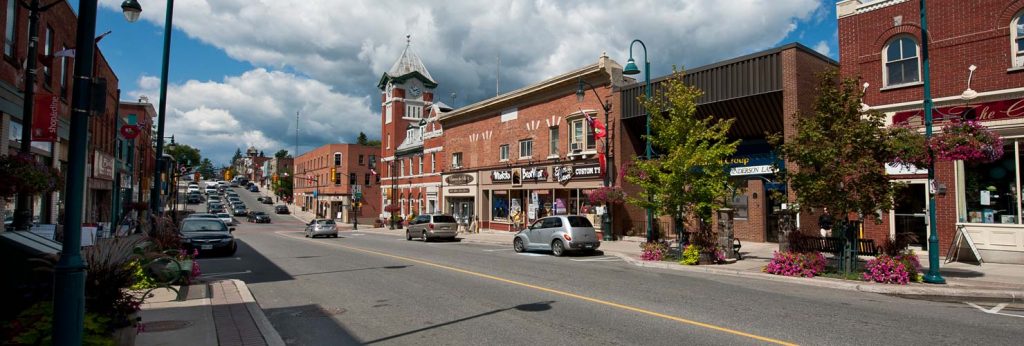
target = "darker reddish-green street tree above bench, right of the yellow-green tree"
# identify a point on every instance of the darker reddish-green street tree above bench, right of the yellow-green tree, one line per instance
(840, 153)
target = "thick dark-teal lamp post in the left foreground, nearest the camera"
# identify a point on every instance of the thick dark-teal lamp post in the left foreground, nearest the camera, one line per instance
(69, 277)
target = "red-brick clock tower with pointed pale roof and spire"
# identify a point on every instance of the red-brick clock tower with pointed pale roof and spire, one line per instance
(407, 96)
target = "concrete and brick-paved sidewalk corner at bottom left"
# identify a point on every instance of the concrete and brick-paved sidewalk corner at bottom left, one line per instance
(222, 313)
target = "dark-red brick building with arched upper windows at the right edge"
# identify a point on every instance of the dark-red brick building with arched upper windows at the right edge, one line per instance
(880, 42)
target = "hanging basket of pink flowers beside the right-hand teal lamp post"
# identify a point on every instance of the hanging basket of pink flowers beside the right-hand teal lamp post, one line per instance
(969, 142)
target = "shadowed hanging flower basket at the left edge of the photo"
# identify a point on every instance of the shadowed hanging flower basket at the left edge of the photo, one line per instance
(22, 175)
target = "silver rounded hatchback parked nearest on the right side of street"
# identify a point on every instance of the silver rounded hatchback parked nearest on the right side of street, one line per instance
(559, 234)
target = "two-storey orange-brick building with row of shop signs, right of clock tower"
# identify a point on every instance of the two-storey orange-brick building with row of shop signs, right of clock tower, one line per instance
(530, 153)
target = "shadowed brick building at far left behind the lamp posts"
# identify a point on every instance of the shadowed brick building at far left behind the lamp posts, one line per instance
(57, 33)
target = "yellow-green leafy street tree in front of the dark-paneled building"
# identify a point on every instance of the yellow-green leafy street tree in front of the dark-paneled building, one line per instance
(691, 179)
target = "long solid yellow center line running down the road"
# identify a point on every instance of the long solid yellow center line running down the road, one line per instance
(561, 293)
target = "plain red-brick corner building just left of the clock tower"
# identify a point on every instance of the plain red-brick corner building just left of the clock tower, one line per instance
(328, 180)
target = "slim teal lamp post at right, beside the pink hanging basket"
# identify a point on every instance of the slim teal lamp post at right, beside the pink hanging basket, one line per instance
(933, 276)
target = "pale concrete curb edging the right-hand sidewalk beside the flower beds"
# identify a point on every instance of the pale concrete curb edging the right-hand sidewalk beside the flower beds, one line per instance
(892, 290)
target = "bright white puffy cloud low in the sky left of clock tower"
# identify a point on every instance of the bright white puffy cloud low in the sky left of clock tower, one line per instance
(259, 109)
